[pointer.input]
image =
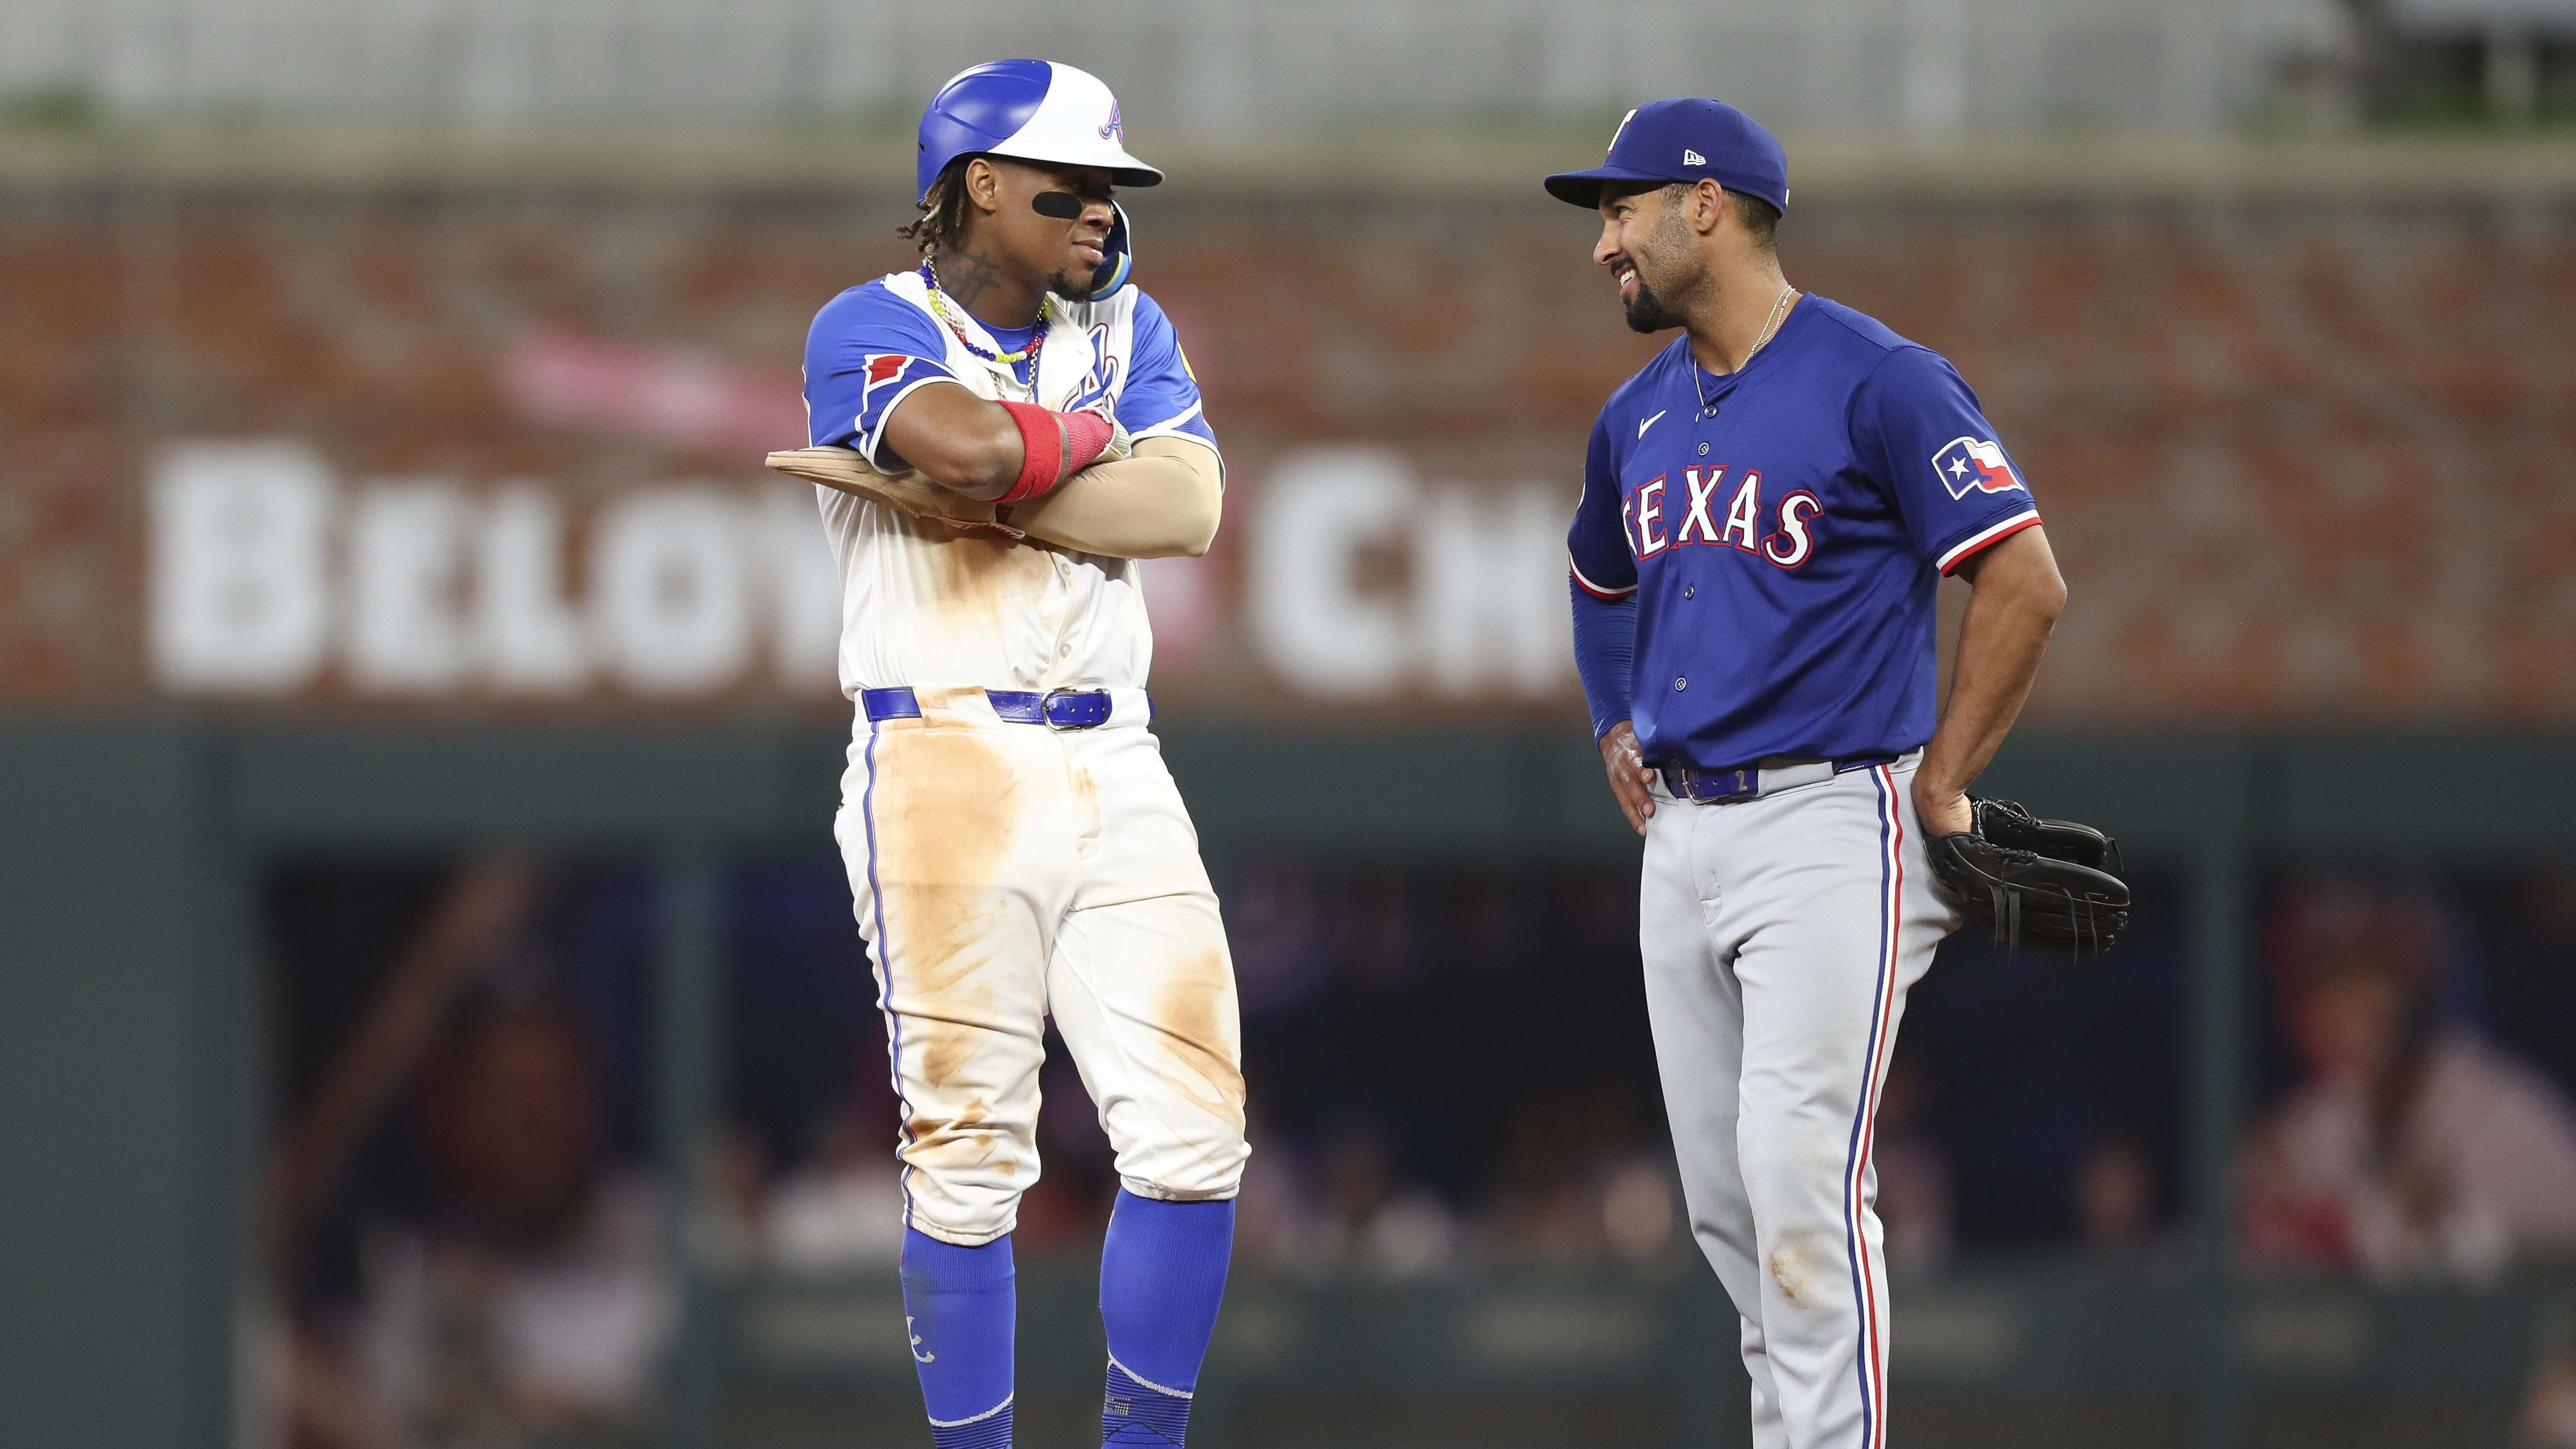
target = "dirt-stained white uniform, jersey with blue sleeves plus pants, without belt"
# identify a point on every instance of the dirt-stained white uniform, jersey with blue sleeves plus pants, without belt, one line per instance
(1009, 875)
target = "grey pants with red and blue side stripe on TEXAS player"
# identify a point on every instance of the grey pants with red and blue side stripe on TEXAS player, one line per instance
(1781, 937)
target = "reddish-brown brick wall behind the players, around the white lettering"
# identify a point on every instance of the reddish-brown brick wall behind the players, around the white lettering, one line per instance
(2302, 463)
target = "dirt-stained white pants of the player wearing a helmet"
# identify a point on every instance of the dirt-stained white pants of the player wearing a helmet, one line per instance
(1006, 873)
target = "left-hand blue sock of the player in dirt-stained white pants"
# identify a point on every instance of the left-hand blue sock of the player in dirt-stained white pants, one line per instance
(960, 1306)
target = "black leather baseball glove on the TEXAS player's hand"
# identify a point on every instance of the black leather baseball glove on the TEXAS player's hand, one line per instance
(2036, 883)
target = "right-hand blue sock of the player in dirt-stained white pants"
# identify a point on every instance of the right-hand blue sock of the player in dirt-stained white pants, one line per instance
(1163, 1272)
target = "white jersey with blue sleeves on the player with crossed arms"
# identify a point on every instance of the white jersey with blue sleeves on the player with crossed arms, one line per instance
(923, 607)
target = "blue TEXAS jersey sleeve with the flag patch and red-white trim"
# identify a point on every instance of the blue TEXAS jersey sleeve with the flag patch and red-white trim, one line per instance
(1918, 427)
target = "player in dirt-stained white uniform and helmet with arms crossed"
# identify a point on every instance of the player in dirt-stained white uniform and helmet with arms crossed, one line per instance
(1014, 839)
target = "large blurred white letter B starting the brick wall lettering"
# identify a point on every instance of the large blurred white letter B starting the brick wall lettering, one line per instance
(238, 597)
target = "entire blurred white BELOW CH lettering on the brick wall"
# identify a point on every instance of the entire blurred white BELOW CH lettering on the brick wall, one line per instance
(1361, 581)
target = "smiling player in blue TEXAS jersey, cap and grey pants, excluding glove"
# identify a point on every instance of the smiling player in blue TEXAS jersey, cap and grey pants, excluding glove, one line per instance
(1768, 509)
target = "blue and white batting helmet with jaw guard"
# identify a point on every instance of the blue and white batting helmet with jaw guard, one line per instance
(1042, 112)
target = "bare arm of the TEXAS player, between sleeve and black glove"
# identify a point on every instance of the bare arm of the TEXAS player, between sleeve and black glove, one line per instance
(2000, 641)
